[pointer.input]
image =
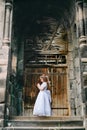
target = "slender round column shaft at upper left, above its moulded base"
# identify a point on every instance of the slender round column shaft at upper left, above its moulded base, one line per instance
(7, 23)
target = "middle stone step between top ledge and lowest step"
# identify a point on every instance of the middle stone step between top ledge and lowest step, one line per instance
(47, 123)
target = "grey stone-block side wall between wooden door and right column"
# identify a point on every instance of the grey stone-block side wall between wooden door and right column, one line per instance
(74, 77)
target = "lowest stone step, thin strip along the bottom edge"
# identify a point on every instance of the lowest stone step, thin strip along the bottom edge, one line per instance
(44, 128)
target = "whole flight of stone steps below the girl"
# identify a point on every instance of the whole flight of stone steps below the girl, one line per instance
(45, 123)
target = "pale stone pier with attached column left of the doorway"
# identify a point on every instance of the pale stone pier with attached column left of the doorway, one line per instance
(5, 58)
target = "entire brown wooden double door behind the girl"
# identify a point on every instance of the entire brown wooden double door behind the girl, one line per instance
(58, 88)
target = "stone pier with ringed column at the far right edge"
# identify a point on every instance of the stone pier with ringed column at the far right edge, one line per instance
(81, 37)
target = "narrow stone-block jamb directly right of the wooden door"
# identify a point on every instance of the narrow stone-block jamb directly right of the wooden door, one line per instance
(71, 74)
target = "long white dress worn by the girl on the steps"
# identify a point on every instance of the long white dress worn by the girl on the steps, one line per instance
(42, 105)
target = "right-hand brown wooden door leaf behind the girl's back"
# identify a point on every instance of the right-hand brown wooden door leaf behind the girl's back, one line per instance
(59, 91)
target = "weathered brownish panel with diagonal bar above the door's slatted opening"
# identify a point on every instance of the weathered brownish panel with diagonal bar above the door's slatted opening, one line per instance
(57, 41)
